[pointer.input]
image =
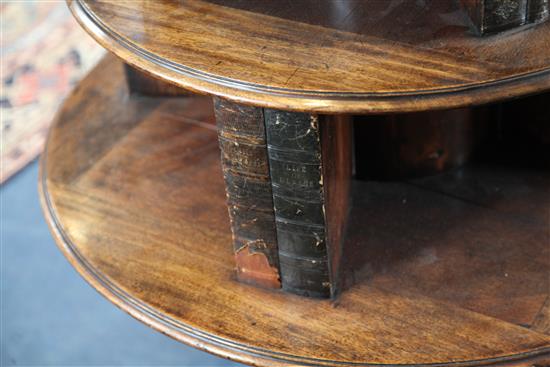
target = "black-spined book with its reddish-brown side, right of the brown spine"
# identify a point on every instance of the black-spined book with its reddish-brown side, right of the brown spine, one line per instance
(310, 212)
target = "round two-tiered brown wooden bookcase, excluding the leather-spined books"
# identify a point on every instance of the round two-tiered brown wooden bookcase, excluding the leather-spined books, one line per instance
(446, 258)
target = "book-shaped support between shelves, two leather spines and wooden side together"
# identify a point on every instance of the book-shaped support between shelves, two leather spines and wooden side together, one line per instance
(287, 180)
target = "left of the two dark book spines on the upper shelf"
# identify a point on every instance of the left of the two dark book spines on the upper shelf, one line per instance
(493, 16)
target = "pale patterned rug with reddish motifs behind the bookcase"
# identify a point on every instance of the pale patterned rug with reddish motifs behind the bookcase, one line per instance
(44, 54)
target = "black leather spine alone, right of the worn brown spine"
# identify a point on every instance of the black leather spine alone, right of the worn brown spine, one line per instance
(294, 150)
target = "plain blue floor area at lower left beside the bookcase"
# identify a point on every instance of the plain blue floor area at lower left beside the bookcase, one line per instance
(51, 316)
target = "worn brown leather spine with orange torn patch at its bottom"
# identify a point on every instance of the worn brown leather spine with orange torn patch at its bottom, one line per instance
(245, 166)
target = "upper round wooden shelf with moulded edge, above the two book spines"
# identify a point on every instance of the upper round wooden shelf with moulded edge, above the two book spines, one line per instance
(353, 56)
